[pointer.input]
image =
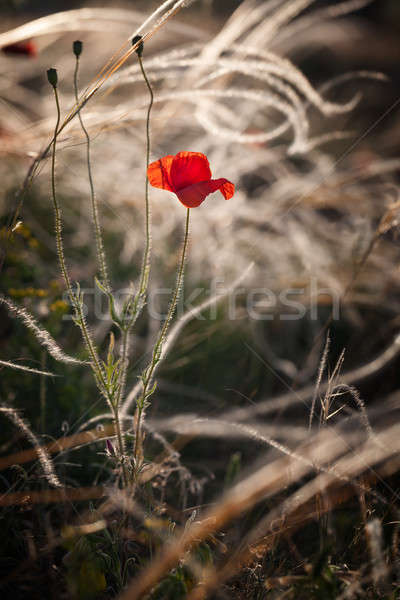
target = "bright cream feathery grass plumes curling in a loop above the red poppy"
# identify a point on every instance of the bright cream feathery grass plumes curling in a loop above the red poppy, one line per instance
(279, 74)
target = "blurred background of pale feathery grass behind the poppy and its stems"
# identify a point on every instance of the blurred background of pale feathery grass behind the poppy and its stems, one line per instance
(303, 114)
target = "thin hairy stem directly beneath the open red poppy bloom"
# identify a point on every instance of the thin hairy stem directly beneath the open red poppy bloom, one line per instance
(147, 377)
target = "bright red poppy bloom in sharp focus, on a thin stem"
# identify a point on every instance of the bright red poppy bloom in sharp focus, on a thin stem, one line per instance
(188, 175)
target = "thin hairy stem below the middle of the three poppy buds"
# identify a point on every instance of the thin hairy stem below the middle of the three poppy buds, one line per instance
(101, 257)
